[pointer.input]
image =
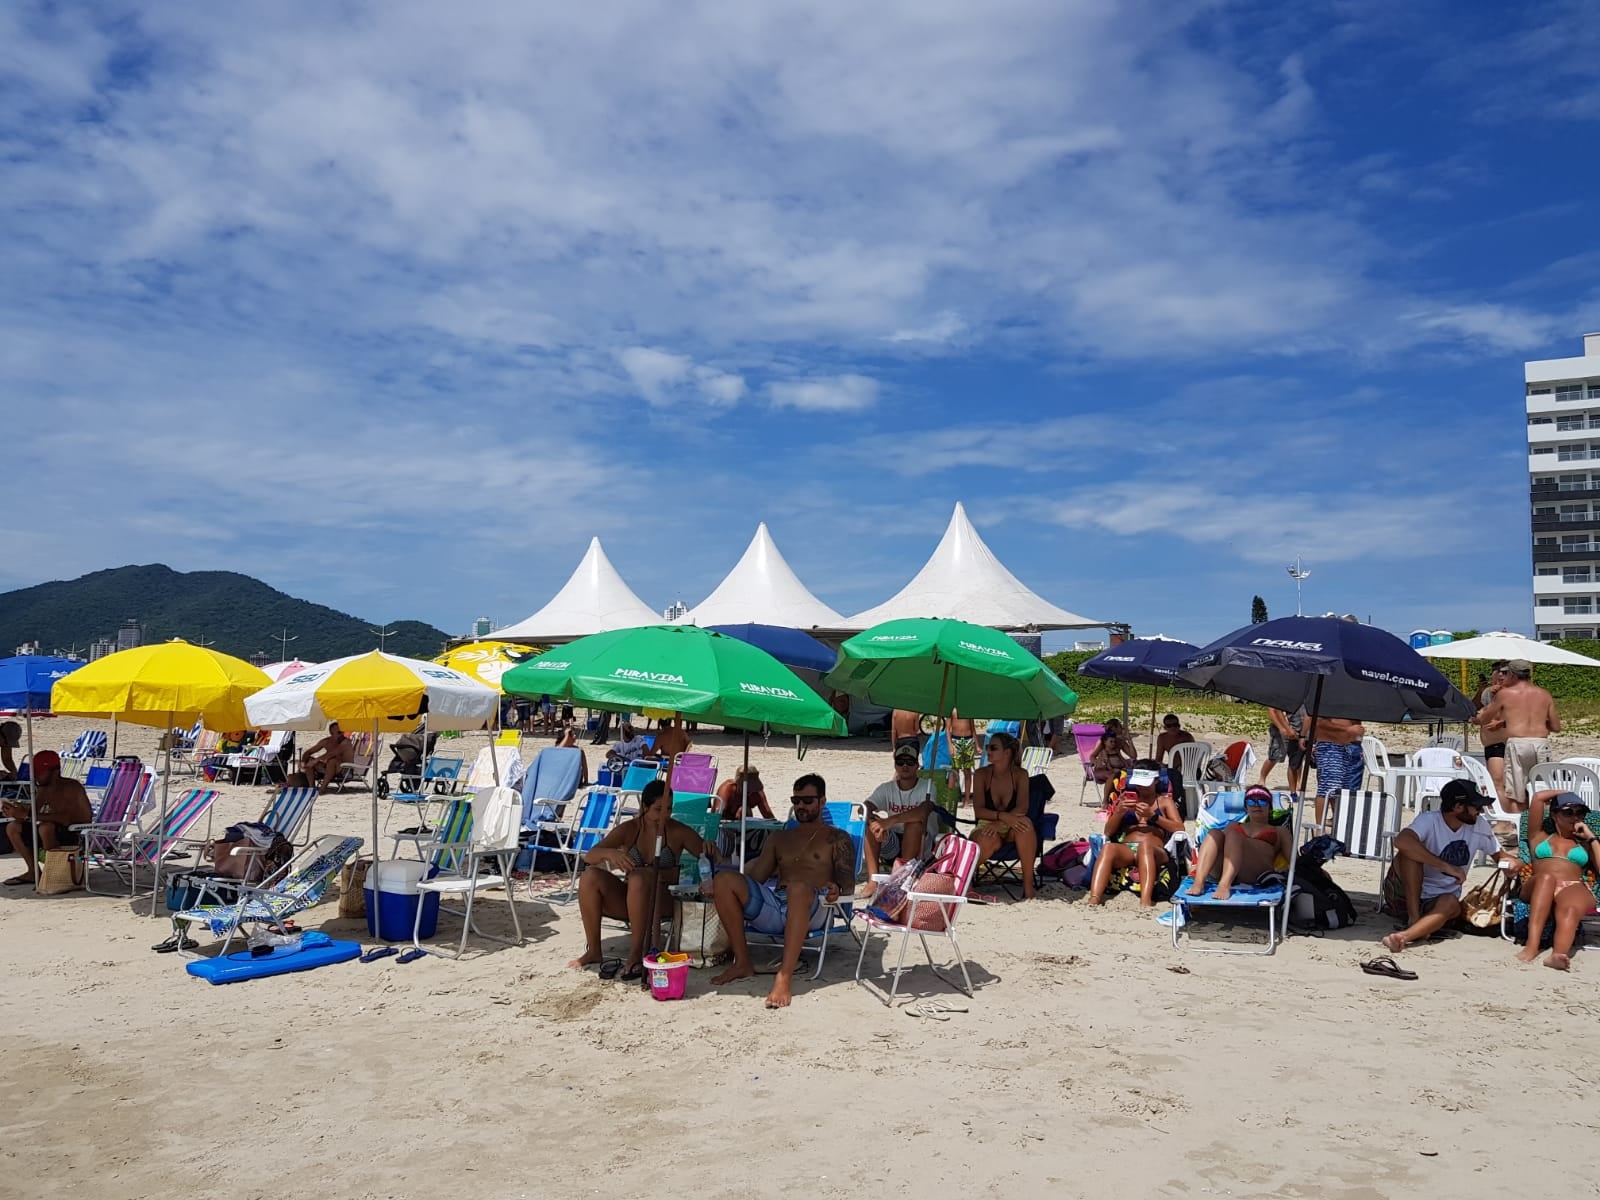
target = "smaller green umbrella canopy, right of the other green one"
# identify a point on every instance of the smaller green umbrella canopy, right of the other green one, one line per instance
(938, 666)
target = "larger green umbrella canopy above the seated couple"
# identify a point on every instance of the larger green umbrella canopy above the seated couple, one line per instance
(690, 671)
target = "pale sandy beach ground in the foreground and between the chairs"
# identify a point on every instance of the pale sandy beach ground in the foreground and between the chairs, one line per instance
(1094, 1057)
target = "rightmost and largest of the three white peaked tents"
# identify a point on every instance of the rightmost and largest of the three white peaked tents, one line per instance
(966, 582)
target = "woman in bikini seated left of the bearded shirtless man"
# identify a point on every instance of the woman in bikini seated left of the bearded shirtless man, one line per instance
(620, 871)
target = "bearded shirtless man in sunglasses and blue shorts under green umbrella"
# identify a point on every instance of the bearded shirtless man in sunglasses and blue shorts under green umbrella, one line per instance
(814, 863)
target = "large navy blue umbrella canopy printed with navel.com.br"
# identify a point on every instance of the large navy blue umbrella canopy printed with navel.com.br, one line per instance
(1332, 668)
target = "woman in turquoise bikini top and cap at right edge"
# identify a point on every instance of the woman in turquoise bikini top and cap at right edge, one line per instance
(1562, 874)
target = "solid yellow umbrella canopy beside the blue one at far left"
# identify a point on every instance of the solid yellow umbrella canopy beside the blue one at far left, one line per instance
(161, 686)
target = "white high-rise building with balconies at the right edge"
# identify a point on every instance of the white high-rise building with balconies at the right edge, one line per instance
(1564, 466)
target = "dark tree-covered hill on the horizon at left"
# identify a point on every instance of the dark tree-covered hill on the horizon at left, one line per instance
(231, 612)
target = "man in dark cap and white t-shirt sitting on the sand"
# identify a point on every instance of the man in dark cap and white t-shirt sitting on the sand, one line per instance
(1431, 863)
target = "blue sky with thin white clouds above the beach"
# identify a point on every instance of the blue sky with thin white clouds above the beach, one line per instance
(398, 306)
